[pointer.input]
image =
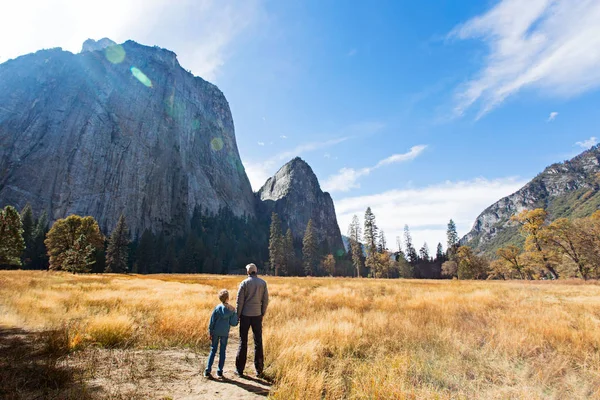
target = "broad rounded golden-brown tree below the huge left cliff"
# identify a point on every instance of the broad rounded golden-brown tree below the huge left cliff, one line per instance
(71, 243)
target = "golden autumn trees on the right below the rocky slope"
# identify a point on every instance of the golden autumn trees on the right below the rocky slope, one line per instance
(563, 248)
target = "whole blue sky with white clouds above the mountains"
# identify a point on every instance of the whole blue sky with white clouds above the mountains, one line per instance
(425, 111)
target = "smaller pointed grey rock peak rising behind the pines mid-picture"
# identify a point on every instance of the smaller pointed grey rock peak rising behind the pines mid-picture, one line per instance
(295, 195)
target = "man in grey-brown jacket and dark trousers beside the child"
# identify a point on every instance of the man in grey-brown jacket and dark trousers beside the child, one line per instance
(252, 302)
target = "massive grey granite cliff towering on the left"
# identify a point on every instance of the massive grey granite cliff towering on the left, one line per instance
(120, 130)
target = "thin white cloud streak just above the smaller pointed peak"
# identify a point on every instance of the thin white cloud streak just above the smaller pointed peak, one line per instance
(259, 172)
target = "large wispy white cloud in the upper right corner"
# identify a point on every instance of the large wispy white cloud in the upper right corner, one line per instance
(550, 45)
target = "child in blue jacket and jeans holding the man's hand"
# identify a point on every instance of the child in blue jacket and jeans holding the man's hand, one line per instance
(222, 318)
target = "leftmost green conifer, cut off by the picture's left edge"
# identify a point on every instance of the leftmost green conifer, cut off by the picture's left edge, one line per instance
(12, 243)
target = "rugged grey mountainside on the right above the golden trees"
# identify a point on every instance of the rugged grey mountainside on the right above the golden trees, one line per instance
(569, 189)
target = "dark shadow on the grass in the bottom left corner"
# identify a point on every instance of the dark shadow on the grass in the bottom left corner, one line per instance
(32, 365)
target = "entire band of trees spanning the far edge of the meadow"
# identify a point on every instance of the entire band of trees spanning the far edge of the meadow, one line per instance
(222, 242)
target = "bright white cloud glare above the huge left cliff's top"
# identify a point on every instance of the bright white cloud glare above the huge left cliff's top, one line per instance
(199, 31)
